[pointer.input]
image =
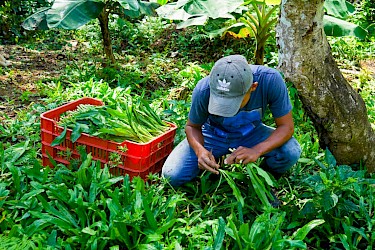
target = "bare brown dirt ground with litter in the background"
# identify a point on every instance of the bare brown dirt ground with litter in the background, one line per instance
(19, 83)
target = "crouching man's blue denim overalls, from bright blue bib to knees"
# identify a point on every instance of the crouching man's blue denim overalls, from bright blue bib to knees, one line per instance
(244, 129)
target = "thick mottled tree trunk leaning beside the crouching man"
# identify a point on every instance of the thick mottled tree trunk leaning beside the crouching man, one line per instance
(338, 112)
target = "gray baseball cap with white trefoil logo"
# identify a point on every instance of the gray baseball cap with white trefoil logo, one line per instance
(230, 79)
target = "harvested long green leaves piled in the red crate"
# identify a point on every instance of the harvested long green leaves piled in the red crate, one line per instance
(127, 119)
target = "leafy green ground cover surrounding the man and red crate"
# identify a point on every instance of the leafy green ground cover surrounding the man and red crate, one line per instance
(324, 205)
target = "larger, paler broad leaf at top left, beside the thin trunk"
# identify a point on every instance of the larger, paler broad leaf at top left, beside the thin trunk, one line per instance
(72, 14)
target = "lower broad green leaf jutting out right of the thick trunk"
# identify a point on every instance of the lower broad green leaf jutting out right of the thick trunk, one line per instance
(337, 27)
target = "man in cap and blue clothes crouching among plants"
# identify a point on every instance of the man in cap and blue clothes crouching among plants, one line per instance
(226, 112)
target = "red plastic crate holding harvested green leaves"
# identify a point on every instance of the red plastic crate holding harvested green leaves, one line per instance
(139, 160)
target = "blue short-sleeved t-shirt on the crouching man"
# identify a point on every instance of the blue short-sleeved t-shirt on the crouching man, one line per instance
(271, 92)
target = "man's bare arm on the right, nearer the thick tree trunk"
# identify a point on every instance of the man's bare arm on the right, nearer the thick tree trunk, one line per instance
(283, 132)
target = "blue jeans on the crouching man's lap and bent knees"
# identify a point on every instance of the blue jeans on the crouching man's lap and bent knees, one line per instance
(181, 165)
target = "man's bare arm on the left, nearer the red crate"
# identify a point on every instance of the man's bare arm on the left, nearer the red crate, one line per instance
(206, 160)
